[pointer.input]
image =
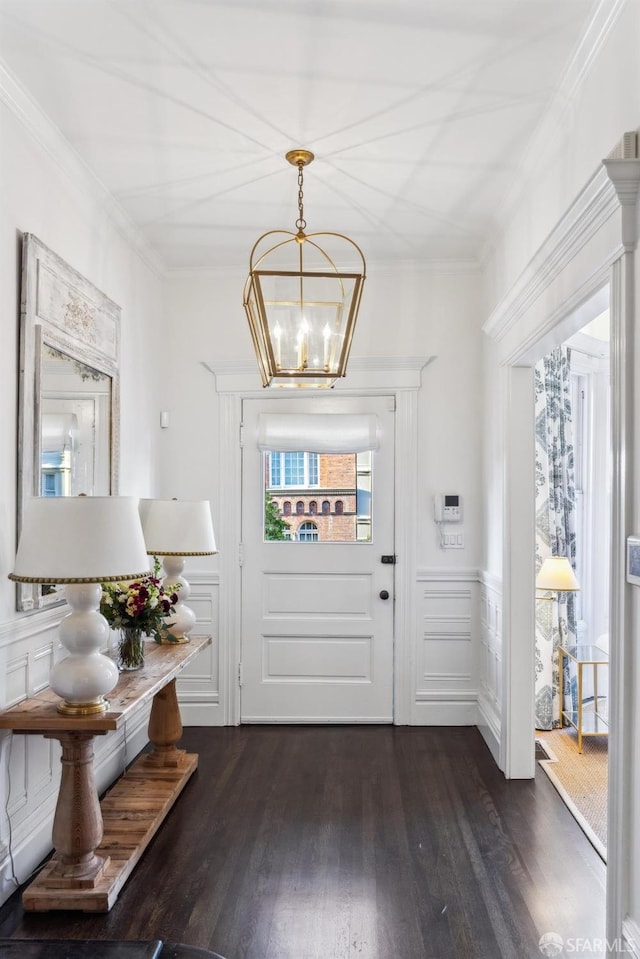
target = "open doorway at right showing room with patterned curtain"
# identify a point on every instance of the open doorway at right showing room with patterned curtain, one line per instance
(573, 519)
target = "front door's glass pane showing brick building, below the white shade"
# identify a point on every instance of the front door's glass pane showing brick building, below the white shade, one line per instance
(318, 497)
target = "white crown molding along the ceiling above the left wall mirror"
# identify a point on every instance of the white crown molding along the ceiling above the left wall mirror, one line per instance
(81, 179)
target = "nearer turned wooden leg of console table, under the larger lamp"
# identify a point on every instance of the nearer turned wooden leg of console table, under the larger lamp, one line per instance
(77, 826)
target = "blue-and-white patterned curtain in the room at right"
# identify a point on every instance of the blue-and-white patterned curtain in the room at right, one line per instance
(555, 529)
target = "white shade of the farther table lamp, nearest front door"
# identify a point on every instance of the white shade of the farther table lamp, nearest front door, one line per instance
(175, 527)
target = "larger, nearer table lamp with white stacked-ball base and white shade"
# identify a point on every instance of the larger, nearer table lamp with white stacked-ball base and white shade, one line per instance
(81, 542)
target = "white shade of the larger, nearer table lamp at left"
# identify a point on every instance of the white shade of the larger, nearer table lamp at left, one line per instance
(80, 539)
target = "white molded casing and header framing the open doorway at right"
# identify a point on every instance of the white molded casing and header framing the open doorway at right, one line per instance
(591, 248)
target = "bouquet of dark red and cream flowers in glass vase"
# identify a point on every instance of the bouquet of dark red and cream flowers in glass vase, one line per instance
(138, 609)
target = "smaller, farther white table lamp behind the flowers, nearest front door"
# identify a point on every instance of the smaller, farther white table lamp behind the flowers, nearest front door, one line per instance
(175, 529)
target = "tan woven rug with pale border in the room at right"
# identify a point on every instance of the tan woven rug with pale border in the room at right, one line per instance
(580, 778)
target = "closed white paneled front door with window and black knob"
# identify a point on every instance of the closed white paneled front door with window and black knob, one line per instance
(317, 597)
